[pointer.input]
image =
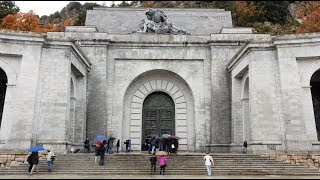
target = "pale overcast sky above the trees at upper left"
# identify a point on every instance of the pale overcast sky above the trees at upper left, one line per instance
(49, 7)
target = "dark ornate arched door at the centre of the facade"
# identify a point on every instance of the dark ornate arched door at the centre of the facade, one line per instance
(158, 115)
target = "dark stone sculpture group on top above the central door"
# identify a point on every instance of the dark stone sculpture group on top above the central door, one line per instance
(157, 23)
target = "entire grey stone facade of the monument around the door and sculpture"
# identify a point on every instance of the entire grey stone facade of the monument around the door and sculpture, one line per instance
(227, 84)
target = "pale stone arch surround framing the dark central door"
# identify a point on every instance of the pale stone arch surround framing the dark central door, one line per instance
(166, 83)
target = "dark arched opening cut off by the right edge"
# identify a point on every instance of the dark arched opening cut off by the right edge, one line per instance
(315, 91)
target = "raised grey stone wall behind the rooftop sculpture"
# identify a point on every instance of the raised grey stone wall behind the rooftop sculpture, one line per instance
(126, 20)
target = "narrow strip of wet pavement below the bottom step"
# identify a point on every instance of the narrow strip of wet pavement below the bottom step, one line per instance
(68, 176)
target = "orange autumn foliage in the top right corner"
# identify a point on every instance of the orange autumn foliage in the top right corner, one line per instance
(309, 13)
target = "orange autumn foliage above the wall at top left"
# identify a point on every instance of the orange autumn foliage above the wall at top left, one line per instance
(26, 22)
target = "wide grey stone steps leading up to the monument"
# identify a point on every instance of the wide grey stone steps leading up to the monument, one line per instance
(183, 163)
